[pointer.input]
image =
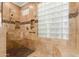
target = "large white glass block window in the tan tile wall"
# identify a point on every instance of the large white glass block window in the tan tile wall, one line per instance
(53, 20)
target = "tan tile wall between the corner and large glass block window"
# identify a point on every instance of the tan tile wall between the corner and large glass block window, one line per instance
(28, 17)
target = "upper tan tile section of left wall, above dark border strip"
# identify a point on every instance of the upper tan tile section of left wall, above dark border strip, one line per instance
(7, 7)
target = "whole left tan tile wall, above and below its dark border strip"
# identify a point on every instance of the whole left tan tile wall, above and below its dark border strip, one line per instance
(7, 6)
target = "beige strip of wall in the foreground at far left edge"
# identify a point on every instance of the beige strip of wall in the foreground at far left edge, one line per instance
(2, 39)
